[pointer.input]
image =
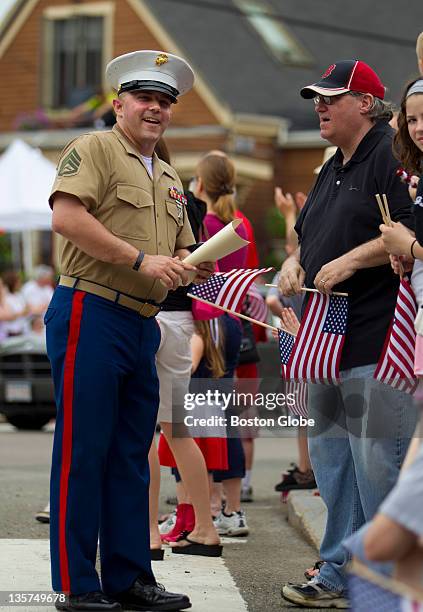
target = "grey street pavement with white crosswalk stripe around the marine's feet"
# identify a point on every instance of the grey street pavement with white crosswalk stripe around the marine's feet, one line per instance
(248, 578)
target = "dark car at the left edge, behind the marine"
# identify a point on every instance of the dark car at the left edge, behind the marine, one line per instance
(26, 386)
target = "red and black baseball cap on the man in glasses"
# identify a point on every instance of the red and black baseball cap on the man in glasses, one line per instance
(345, 76)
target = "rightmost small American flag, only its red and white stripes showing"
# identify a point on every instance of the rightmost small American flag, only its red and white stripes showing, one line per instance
(396, 363)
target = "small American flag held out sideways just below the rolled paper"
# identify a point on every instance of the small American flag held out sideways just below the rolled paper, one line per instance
(228, 289)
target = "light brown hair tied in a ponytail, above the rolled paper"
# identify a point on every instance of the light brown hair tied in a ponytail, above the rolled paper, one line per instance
(218, 175)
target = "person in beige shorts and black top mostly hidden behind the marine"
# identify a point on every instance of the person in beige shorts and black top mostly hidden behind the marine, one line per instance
(173, 361)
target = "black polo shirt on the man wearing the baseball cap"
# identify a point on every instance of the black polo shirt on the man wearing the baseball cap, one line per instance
(340, 214)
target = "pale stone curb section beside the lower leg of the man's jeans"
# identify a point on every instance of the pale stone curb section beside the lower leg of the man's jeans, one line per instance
(307, 513)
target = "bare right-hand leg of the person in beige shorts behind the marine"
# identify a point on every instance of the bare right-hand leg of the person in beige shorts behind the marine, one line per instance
(193, 470)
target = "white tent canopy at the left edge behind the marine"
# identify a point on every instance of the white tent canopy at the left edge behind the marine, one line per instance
(26, 178)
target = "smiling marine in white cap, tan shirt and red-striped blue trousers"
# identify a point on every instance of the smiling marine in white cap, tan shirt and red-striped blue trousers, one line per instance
(123, 227)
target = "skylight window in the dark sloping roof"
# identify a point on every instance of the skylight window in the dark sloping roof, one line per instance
(275, 36)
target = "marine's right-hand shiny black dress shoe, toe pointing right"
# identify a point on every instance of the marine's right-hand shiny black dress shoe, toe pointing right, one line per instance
(147, 594)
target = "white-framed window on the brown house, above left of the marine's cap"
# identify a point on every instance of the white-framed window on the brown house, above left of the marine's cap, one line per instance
(77, 45)
